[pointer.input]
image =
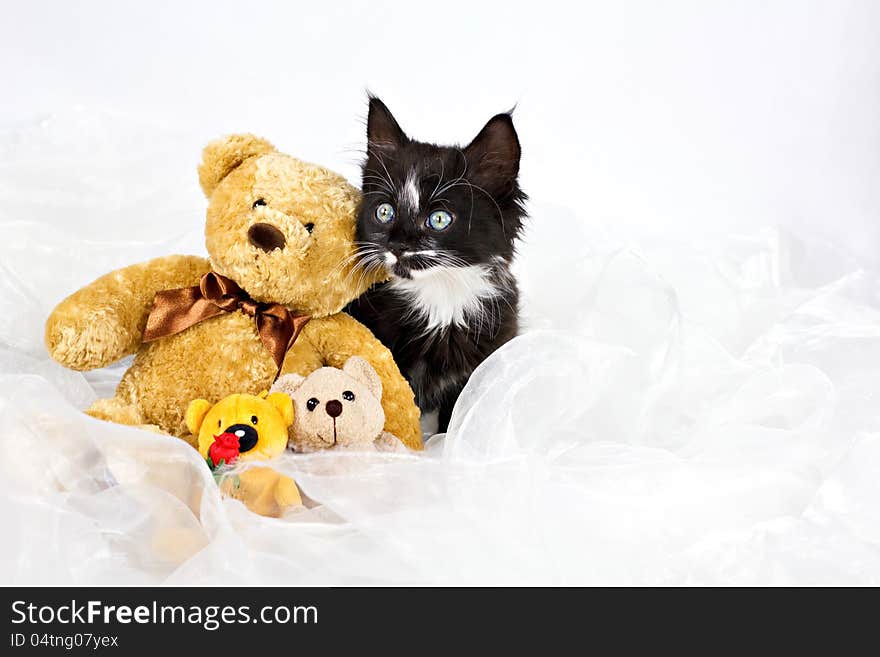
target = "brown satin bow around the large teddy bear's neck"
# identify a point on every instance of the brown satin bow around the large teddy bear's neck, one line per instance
(176, 310)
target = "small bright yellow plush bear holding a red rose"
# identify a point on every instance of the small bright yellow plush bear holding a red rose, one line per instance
(247, 428)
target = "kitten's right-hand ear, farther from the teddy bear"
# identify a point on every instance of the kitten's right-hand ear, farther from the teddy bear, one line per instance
(493, 155)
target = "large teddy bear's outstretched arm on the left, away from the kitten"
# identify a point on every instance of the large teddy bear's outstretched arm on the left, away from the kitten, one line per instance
(104, 321)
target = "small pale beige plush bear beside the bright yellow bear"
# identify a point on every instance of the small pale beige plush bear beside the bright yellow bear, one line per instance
(338, 408)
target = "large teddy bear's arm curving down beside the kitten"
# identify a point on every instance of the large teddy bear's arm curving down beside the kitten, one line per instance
(336, 339)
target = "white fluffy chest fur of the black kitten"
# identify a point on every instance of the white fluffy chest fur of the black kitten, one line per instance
(443, 296)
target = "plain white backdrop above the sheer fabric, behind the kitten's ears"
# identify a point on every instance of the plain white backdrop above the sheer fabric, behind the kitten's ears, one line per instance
(659, 116)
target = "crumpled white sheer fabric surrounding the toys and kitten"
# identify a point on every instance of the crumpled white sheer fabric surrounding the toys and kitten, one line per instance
(697, 409)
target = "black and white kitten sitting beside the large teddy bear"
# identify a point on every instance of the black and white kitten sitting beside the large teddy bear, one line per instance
(442, 220)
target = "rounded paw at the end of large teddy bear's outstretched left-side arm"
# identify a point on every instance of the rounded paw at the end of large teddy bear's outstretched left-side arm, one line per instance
(87, 342)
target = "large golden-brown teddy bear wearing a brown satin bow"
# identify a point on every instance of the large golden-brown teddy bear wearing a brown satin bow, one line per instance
(280, 235)
